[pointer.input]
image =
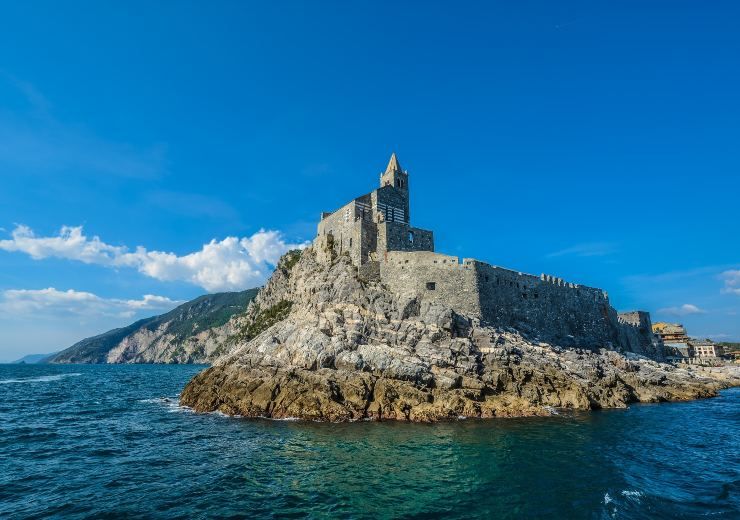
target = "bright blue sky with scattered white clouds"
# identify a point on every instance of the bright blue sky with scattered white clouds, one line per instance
(151, 152)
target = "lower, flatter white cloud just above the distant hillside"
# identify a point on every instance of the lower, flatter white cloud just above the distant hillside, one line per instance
(52, 302)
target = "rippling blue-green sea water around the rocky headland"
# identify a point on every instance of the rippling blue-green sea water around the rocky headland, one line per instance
(90, 441)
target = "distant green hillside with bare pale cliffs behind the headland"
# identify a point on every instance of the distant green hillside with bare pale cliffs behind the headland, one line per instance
(191, 333)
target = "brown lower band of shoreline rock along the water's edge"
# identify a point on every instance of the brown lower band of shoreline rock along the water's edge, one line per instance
(337, 396)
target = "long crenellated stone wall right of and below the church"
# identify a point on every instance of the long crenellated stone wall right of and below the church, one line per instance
(544, 307)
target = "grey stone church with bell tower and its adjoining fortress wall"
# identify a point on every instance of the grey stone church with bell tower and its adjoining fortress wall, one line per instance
(375, 231)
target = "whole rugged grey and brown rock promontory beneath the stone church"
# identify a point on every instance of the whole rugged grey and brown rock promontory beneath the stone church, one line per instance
(319, 342)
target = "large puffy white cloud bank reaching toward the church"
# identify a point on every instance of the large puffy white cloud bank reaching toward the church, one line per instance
(230, 264)
